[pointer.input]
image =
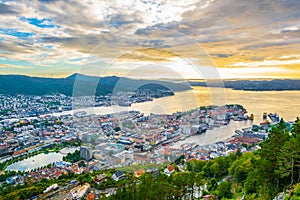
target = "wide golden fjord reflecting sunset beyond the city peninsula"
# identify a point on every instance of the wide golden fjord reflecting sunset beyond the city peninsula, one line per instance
(284, 103)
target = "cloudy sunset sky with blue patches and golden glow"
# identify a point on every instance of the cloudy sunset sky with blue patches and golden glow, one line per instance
(151, 39)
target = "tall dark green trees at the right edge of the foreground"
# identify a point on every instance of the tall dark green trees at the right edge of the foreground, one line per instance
(277, 166)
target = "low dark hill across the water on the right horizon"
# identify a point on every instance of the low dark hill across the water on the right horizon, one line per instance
(255, 85)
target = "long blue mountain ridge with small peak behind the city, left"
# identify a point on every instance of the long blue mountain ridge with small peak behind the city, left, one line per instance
(78, 85)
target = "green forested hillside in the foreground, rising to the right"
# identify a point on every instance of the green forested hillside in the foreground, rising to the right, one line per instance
(262, 174)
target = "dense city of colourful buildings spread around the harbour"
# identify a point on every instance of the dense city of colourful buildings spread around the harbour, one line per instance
(112, 141)
